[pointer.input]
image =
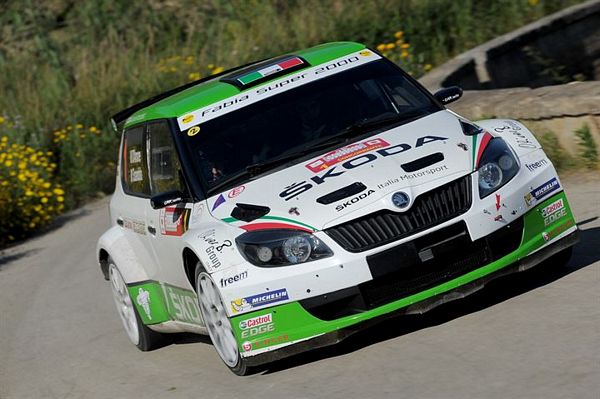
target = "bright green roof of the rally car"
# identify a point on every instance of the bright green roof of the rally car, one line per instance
(212, 90)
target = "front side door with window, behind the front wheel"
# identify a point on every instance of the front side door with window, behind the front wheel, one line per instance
(170, 223)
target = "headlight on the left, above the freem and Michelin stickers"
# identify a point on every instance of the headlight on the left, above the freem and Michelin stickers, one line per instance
(281, 247)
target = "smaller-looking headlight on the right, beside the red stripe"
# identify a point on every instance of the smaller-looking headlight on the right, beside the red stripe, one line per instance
(497, 166)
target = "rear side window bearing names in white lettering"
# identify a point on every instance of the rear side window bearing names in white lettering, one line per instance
(135, 171)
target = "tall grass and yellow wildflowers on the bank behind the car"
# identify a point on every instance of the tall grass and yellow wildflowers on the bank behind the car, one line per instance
(67, 66)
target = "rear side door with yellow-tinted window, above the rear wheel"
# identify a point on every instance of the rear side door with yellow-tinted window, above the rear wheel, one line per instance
(131, 197)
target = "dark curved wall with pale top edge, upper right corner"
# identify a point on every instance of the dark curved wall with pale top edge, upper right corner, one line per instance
(556, 49)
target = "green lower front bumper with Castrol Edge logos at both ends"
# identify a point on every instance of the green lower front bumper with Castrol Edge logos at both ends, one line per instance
(295, 327)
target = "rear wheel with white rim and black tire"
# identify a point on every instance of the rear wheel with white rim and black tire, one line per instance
(139, 335)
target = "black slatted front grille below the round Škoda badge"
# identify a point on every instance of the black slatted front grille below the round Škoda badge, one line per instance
(429, 209)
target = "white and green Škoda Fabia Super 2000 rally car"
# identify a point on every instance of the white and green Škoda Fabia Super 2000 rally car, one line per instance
(281, 205)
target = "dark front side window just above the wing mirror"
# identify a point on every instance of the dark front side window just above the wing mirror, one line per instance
(164, 163)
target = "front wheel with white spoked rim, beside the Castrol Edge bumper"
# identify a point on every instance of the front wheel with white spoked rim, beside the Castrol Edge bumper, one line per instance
(218, 324)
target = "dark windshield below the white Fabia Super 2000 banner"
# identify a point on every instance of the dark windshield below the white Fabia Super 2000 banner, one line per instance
(232, 148)
